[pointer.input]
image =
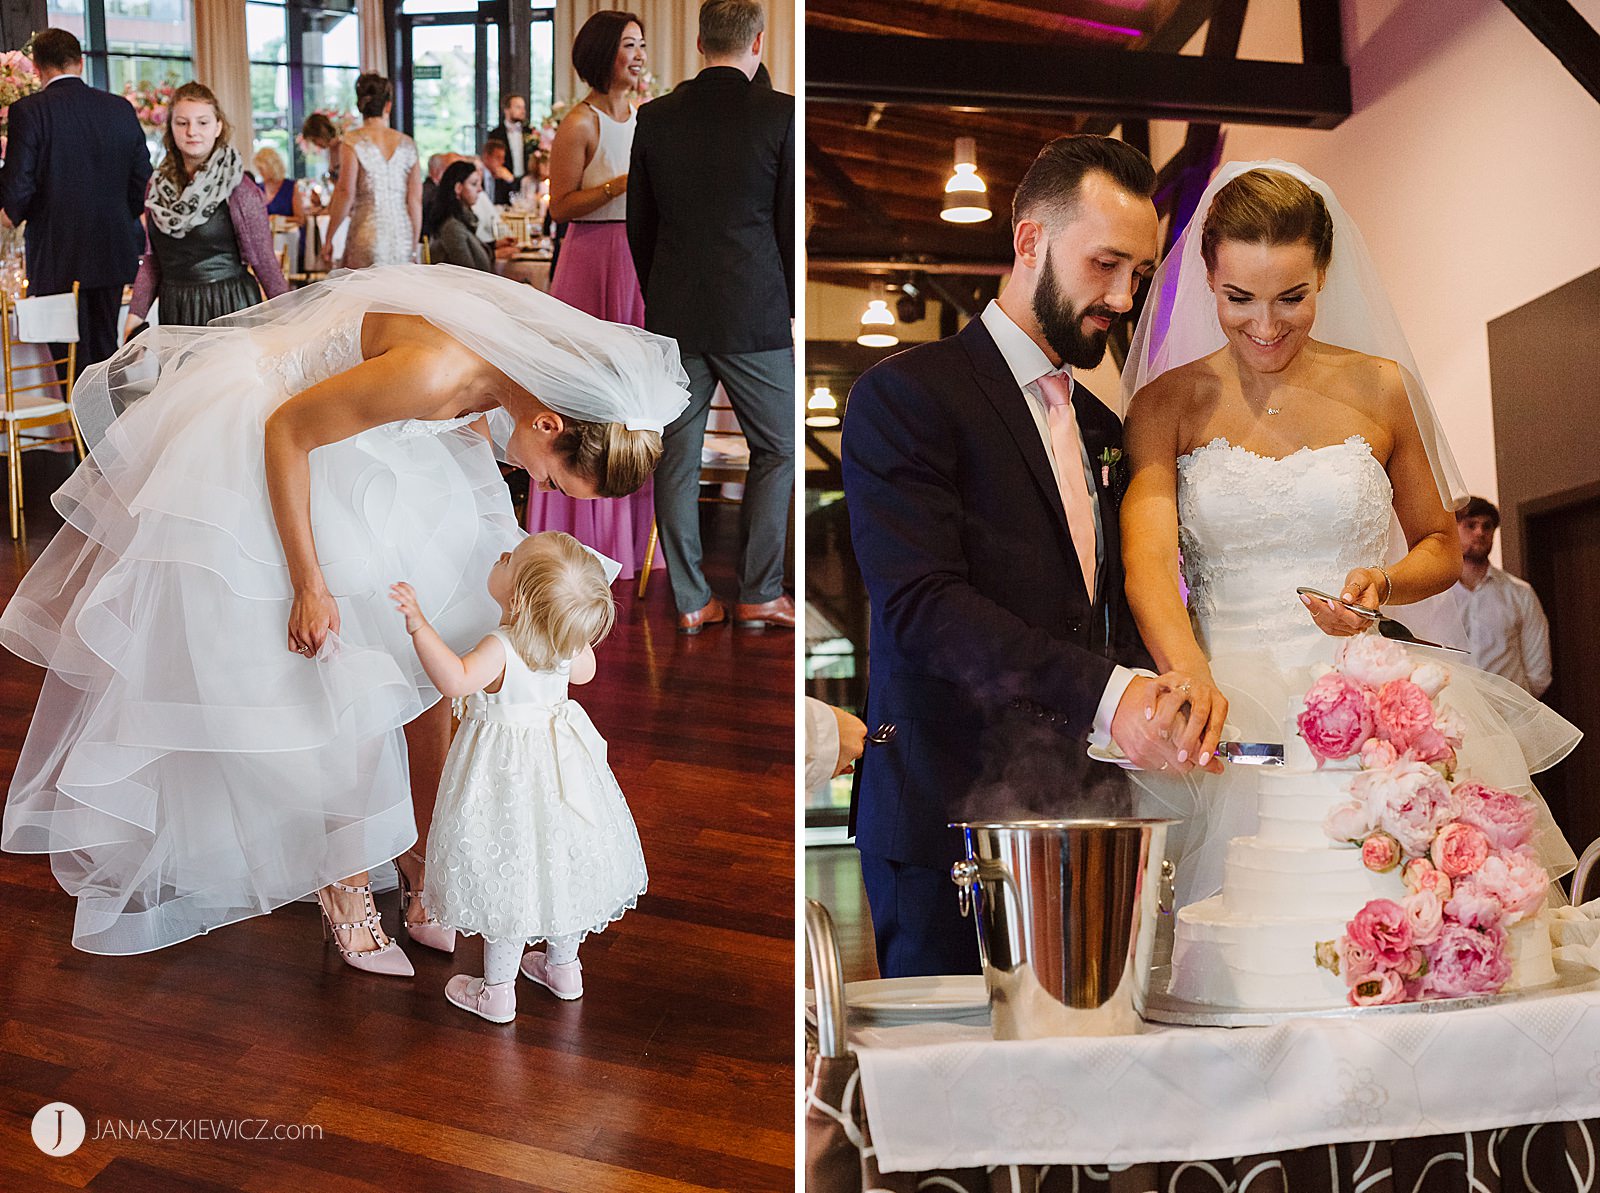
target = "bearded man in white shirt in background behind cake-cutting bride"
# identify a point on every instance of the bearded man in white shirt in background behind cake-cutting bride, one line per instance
(1506, 626)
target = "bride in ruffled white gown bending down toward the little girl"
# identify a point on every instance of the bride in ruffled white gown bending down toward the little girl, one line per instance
(220, 732)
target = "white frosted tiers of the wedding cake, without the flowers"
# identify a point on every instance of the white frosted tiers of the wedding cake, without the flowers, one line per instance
(1289, 888)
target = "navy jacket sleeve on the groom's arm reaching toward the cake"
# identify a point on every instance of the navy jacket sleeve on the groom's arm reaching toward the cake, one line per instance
(903, 487)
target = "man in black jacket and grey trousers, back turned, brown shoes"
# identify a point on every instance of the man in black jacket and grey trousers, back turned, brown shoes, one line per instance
(711, 225)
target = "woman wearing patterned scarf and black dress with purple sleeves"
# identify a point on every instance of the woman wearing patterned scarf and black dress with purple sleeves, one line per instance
(204, 223)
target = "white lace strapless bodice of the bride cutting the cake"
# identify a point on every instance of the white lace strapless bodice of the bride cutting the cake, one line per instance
(1254, 529)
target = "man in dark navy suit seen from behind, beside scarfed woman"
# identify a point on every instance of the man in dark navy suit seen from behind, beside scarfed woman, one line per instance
(76, 170)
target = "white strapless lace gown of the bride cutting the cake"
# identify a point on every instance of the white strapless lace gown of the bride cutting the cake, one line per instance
(1252, 530)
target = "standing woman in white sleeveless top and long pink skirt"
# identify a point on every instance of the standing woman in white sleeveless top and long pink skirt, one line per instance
(596, 271)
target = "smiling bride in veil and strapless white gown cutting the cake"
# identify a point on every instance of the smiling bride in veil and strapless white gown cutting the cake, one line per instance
(1279, 437)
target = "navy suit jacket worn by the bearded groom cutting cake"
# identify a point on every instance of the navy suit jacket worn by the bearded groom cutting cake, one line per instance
(988, 655)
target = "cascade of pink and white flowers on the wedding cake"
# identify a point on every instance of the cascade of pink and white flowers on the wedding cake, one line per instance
(1463, 848)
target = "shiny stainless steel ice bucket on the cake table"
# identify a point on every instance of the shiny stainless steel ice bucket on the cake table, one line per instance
(1066, 917)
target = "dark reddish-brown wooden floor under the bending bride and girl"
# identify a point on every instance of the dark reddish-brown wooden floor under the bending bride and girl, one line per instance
(674, 1072)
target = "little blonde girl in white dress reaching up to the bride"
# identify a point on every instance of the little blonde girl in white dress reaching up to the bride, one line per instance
(532, 839)
